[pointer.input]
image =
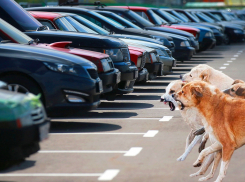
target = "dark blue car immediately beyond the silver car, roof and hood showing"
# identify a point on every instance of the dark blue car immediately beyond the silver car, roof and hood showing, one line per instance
(111, 26)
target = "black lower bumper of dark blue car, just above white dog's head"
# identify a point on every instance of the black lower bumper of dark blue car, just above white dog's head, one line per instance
(183, 53)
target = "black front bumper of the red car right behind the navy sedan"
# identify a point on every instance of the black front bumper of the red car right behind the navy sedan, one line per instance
(110, 79)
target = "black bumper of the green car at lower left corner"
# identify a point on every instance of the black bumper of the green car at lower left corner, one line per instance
(20, 143)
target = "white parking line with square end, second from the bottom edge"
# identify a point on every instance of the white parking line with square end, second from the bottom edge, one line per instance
(131, 152)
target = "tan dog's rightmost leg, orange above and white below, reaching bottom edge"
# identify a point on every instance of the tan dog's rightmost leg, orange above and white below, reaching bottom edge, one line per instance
(226, 156)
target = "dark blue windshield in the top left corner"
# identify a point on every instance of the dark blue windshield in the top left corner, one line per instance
(13, 13)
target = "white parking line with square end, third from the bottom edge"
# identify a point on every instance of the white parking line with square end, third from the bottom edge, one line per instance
(150, 133)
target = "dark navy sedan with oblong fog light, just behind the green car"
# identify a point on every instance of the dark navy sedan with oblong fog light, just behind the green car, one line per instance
(67, 83)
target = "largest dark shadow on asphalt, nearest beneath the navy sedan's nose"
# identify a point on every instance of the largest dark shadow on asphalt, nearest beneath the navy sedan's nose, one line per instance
(71, 127)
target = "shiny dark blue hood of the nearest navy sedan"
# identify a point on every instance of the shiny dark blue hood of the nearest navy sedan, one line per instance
(41, 54)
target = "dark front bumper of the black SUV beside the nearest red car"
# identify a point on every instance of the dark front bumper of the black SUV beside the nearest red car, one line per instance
(128, 76)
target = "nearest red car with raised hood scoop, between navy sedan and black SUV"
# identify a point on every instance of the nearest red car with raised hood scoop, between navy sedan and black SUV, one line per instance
(109, 75)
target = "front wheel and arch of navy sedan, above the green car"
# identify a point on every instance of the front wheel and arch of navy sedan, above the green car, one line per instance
(22, 84)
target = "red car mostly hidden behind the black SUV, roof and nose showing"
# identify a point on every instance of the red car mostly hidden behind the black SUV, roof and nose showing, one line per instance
(66, 23)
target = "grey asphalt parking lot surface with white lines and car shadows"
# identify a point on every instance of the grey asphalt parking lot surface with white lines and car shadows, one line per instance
(135, 138)
